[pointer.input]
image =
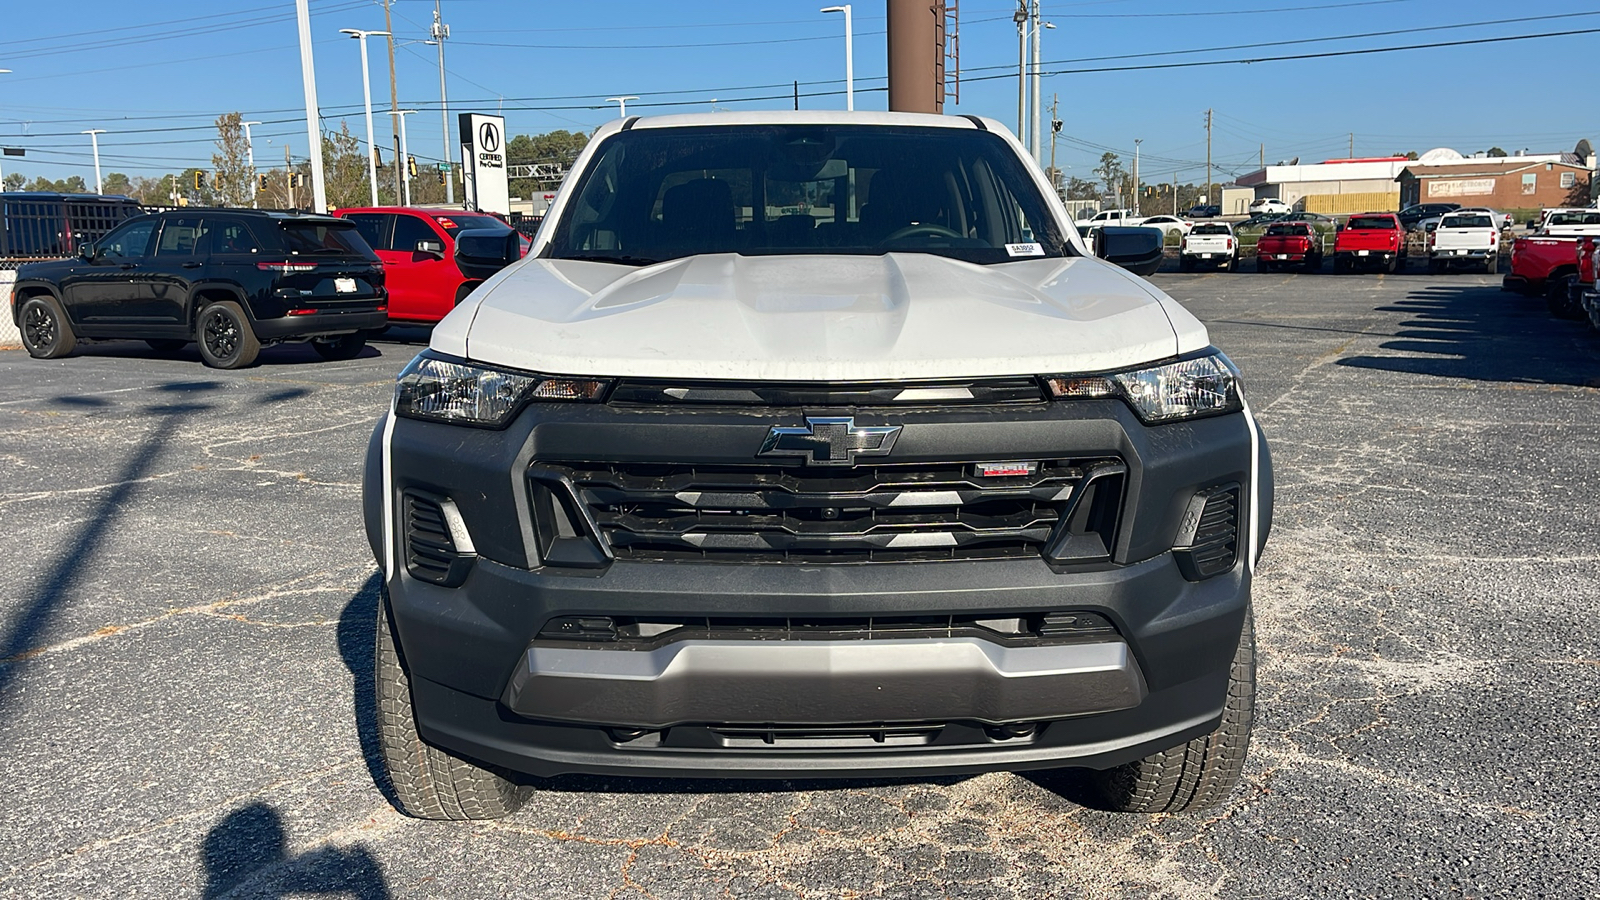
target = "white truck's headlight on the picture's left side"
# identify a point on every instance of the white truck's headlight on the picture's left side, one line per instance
(462, 393)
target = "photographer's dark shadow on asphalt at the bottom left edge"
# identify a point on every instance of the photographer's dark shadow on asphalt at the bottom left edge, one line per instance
(247, 856)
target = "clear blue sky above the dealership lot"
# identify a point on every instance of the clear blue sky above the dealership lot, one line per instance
(156, 74)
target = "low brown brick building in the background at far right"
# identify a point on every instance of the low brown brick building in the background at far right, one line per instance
(1506, 183)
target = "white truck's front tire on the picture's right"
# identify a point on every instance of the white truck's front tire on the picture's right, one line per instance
(1198, 774)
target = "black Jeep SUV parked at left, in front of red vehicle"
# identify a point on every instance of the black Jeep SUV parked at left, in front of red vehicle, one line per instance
(231, 281)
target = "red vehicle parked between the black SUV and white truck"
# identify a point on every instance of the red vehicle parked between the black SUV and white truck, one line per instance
(418, 249)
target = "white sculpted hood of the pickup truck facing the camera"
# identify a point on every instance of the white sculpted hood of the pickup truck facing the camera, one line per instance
(900, 316)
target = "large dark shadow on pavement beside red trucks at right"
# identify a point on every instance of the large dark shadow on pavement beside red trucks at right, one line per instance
(1482, 334)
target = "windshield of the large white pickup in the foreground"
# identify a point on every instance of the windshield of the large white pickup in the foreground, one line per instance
(796, 190)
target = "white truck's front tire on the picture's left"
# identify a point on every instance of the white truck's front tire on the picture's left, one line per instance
(428, 782)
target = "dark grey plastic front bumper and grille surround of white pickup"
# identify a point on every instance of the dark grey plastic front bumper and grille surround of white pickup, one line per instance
(486, 686)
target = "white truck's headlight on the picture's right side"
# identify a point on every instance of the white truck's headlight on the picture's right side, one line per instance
(1190, 388)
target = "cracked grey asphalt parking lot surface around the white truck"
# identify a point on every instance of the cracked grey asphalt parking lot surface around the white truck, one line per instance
(188, 629)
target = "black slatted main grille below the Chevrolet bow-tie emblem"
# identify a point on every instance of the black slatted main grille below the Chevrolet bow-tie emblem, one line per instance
(769, 513)
